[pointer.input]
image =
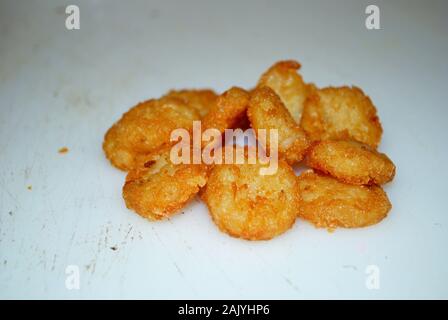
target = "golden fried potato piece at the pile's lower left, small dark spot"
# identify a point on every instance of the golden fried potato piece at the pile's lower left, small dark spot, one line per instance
(160, 188)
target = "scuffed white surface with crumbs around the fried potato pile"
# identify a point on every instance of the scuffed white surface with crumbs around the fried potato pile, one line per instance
(65, 88)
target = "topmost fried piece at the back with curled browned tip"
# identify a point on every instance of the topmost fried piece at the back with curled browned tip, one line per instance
(288, 84)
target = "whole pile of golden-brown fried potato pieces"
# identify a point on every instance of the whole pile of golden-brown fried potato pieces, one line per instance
(335, 131)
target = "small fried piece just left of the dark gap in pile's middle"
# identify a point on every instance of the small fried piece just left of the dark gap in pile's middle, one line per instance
(229, 111)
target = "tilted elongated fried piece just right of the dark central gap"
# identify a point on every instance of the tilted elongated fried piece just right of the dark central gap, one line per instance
(267, 111)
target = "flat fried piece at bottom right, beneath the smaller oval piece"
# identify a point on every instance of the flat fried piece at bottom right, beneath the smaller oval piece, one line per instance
(328, 203)
